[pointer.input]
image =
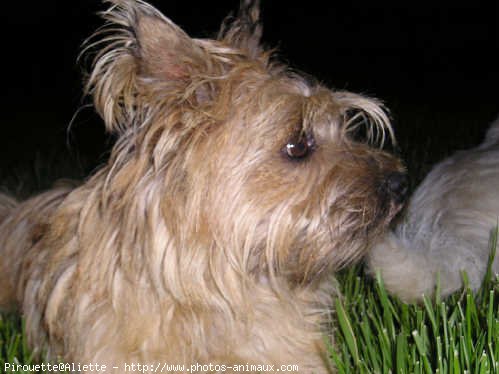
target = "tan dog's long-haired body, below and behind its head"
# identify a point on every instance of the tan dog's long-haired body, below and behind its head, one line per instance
(102, 315)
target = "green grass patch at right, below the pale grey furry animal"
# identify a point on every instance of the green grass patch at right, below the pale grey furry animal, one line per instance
(376, 333)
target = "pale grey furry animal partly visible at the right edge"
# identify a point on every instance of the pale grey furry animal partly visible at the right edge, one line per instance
(447, 227)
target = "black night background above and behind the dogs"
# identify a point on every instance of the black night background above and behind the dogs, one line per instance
(434, 65)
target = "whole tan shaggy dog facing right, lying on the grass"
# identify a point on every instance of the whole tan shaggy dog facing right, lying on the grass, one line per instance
(235, 190)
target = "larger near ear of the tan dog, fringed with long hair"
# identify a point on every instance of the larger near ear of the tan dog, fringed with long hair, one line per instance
(143, 57)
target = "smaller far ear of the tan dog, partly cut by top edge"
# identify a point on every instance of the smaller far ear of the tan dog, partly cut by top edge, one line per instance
(244, 31)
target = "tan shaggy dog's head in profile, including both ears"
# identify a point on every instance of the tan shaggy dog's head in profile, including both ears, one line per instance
(246, 164)
